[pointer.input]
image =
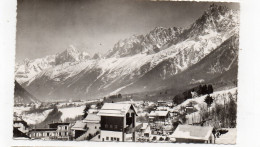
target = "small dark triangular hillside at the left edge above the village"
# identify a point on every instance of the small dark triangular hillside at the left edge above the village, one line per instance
(21, 96)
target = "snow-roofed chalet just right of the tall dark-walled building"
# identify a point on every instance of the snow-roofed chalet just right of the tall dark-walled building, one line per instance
(158, 116)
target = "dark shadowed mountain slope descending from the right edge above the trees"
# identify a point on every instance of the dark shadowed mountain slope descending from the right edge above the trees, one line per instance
(220, 66)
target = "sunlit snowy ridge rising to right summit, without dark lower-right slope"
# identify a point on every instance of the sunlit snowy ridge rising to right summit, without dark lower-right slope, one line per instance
(130, 61)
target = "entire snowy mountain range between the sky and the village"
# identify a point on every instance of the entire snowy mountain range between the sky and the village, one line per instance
(165, 58)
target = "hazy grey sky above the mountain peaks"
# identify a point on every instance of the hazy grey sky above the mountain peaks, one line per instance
(46, 27)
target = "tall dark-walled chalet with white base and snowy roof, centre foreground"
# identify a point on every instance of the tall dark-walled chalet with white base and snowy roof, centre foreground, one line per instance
(118, 122)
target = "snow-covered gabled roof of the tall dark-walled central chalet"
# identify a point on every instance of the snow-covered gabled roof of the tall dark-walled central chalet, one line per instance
(115, 109)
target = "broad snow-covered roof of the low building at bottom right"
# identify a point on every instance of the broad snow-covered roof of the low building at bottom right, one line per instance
(192, 132)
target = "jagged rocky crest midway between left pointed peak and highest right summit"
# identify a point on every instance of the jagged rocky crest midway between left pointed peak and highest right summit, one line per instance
(156, 40)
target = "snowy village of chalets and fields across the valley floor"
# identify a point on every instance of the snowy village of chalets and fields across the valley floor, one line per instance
(192, 121)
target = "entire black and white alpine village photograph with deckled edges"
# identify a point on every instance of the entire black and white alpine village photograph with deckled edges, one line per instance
(126, 71)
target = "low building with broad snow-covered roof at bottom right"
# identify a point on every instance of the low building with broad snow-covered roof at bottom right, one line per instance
(193, 134)
